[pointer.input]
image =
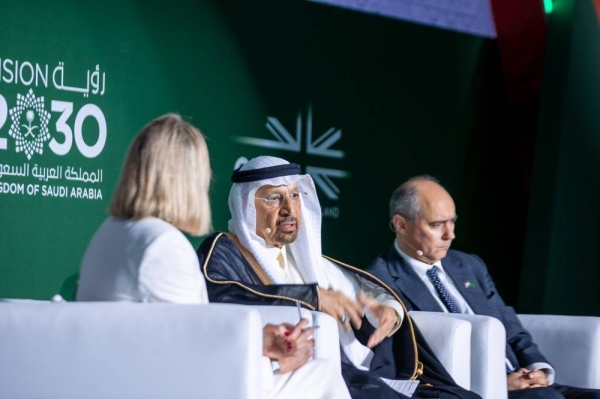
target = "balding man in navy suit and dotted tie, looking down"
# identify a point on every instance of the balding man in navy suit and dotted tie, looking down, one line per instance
(432, 277)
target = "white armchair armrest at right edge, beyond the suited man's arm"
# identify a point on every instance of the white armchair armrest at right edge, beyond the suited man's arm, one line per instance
(567, 341)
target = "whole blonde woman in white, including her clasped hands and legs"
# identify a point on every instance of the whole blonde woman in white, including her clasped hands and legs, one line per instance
(139, 253)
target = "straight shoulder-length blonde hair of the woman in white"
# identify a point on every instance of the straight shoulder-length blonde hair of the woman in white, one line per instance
(166, 175)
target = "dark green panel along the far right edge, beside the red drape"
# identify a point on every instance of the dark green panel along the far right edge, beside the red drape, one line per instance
(560, 268)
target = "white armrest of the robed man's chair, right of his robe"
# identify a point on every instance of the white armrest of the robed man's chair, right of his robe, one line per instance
(450, 340)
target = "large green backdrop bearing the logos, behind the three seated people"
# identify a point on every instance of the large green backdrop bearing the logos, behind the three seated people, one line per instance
(360, 101)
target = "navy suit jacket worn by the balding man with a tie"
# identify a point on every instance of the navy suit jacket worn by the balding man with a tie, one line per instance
(483, 297)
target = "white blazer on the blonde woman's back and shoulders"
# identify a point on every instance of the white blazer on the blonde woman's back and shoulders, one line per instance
(146, 260)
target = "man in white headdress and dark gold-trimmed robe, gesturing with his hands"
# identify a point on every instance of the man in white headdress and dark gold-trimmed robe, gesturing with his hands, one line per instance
(272, 255)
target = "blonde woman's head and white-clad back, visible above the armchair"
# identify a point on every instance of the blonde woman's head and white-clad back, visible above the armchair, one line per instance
(139, 253)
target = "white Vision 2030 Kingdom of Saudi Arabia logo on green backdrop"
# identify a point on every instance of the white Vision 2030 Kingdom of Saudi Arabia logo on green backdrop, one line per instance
(31, 130)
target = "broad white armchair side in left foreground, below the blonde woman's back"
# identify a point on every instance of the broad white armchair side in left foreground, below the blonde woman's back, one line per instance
(132, 350)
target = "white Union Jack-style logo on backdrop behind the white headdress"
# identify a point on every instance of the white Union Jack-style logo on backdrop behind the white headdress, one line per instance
(321, 146)
